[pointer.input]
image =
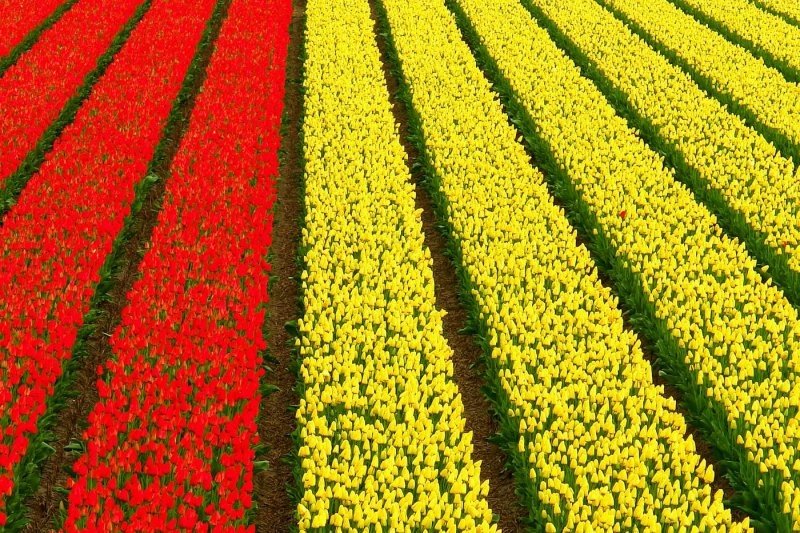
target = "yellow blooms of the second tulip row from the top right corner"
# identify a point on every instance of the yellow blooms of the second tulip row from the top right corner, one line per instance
(766, 31)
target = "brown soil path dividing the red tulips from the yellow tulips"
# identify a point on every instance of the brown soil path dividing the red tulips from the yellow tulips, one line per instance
(276, 416)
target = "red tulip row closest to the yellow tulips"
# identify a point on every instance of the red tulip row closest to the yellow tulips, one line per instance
(170, 445)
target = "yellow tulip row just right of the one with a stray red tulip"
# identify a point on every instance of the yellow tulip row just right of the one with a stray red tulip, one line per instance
(732, 158)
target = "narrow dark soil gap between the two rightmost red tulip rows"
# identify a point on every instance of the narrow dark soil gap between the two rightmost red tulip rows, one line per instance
(45, 505)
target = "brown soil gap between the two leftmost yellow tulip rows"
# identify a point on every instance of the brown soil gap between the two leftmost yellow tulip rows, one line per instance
(502, 497)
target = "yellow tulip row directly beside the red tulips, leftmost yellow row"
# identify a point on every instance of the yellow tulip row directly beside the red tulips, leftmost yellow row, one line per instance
(382, 439)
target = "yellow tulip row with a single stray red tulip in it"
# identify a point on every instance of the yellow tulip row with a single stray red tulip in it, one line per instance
(736, 333)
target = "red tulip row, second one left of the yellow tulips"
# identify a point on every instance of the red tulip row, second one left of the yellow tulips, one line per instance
(55, 241)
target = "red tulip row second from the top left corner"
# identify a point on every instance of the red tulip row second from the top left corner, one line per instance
(34, 90)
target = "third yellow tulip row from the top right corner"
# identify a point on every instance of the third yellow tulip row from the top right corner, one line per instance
(729, 68)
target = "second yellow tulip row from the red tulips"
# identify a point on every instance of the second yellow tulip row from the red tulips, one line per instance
(601, 445)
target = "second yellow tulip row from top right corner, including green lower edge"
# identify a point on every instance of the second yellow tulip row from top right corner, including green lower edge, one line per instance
(743, 21)
